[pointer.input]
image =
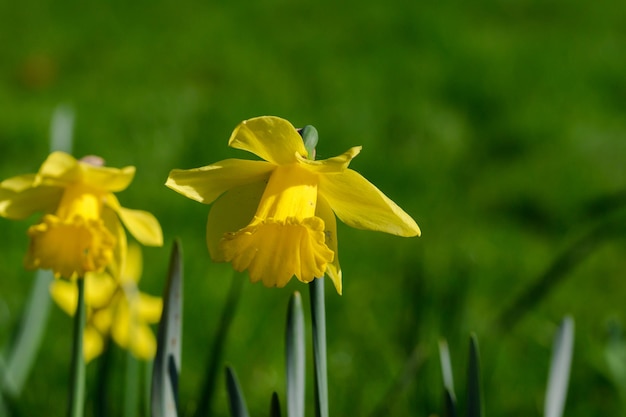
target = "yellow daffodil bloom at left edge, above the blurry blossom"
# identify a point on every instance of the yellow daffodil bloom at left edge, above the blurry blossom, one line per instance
(80, 231)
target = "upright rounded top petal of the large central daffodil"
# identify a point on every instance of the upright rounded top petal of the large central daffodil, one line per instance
(271, 138)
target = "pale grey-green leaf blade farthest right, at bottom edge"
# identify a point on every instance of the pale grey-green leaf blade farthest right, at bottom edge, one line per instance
(558, 379)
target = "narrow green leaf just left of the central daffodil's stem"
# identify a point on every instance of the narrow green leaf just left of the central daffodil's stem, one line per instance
(295, 350)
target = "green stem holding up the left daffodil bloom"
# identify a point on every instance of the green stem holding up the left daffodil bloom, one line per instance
(76, 404)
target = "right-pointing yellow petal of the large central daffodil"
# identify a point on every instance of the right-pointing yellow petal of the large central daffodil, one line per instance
(358, 203)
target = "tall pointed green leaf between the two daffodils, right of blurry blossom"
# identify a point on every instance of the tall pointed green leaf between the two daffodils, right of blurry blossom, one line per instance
(169, 340)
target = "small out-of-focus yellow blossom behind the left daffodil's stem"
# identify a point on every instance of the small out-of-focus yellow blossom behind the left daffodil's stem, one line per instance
(115, 308)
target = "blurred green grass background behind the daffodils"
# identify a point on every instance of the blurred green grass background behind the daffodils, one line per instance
(499, 125)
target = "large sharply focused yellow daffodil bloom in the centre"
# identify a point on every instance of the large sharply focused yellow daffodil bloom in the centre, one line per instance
(276, 218)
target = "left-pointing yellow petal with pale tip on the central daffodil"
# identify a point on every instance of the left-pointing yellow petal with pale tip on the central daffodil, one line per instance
(207, 183)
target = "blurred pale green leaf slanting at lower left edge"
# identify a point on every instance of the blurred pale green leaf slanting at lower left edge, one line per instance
(24, 346)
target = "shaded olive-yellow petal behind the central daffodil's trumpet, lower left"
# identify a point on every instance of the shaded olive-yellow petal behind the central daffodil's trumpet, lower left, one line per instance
(232, 211)
